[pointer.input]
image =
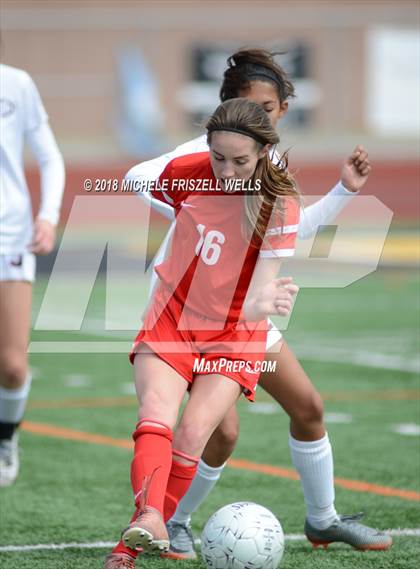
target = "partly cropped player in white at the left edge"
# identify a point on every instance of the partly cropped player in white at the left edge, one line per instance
(22, 119)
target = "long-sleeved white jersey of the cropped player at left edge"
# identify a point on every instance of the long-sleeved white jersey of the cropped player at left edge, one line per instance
(23, 118)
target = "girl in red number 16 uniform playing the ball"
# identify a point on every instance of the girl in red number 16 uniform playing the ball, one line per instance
(216, 290)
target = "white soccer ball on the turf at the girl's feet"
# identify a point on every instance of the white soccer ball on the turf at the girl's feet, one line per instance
(242, 536)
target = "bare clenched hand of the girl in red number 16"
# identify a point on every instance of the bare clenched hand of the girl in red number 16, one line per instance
(276, 297)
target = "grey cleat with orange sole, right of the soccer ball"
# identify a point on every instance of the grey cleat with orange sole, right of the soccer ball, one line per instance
(346, 529)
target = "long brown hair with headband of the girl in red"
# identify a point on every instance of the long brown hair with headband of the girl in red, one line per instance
(246, 117)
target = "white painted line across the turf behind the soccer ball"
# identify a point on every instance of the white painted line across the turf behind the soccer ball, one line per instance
(406, 532)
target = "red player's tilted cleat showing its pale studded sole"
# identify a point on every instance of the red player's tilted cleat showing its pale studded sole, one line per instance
(148, 532)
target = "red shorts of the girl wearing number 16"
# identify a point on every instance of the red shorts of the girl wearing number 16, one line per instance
(235, 351)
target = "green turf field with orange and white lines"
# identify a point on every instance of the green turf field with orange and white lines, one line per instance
(358, 344)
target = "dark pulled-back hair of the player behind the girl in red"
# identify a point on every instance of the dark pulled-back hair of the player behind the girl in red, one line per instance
(248, 65)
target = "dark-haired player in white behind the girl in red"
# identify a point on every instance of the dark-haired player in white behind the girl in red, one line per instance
(255, 75)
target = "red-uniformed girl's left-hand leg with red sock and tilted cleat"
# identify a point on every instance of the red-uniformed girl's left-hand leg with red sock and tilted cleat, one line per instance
(160, 390)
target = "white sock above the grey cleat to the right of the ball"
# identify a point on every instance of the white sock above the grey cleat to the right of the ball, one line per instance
(314, 463)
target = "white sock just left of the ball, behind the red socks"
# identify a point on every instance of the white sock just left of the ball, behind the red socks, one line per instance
(203, 483)
